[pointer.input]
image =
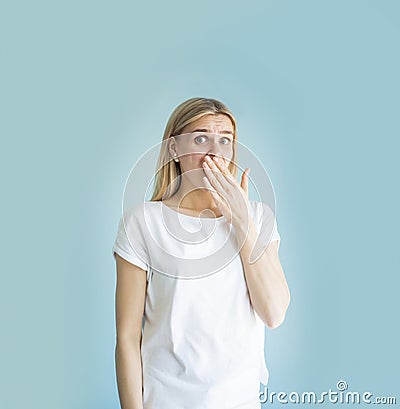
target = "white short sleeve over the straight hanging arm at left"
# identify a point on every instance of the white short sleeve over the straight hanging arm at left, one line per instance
(129, 242)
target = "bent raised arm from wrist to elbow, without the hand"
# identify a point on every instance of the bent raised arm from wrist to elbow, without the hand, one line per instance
(268, 290)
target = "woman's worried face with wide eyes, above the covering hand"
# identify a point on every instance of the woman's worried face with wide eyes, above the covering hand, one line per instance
(212, 135)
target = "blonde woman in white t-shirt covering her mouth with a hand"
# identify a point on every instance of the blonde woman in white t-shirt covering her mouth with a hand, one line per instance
(191, 307)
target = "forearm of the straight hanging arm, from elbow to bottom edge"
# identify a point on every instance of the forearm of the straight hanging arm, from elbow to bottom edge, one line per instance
(129, 374)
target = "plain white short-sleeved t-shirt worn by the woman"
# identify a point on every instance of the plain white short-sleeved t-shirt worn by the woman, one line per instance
(202, 341)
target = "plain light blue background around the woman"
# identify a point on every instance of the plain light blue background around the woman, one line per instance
(87, 87)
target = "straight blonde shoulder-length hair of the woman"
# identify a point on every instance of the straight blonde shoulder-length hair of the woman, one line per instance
(189, 111)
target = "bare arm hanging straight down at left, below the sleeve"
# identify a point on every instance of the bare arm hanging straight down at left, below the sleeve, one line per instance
(130, 298)
